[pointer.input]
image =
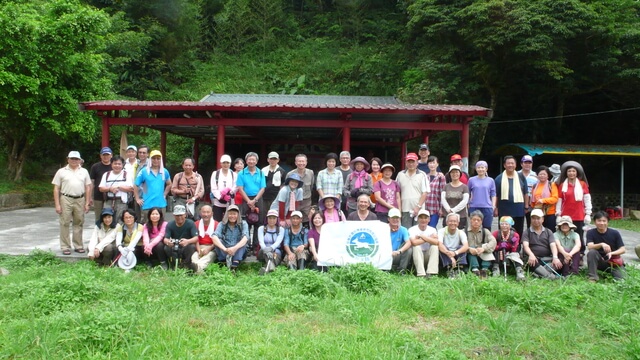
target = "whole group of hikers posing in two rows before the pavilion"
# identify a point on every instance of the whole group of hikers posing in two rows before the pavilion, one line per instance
(270, 213)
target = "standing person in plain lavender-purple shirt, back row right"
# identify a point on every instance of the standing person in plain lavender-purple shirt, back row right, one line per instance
(482, 193)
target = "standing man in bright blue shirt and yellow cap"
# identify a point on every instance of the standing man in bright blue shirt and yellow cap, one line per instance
(157, 183)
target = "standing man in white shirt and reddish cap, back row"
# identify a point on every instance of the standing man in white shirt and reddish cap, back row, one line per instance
(414, 188)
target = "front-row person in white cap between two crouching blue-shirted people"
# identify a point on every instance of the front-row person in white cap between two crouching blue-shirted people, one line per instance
(270, 237)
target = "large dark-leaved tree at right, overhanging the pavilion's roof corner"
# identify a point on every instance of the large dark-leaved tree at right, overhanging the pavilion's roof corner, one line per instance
(507, 49)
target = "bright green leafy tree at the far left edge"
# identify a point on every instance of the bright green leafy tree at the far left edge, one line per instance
(51, 61)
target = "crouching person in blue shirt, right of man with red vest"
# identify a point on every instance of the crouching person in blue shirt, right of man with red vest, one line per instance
(231, 238)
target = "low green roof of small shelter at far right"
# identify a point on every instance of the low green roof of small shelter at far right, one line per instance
(564, 149)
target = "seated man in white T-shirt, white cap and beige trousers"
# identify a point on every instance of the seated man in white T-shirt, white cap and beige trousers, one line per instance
(424, 239)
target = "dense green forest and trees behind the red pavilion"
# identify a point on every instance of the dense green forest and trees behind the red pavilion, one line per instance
(552, 71)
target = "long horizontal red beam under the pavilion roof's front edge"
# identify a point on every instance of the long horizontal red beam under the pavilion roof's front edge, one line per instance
(354, 124)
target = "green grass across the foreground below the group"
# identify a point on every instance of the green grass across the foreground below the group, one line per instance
(59, 310)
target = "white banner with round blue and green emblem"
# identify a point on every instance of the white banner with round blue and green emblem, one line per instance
(351, 242)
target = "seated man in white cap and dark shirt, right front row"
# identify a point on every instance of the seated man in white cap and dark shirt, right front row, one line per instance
(541, 252)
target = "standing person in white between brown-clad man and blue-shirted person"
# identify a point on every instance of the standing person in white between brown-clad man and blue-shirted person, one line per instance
(223, 187)
